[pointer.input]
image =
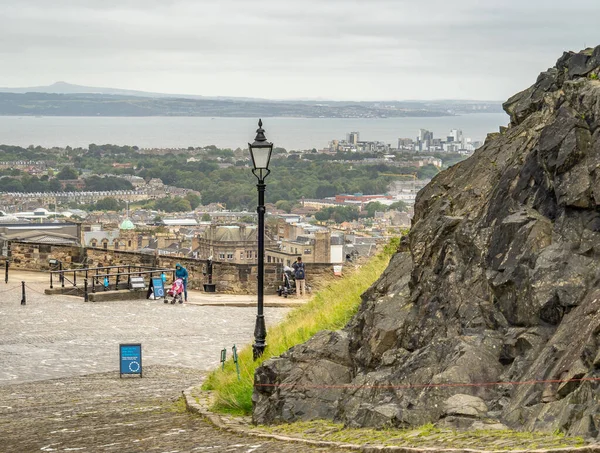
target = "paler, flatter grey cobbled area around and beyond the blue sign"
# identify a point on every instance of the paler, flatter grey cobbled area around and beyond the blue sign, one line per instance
(62, 336)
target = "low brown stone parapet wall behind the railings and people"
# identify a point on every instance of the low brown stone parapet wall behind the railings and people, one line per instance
(228, 277)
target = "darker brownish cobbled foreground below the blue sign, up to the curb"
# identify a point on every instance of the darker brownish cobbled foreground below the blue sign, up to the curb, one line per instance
(103, 413)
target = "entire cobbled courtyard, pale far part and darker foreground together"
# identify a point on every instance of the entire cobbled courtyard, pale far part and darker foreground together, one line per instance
(59, 383)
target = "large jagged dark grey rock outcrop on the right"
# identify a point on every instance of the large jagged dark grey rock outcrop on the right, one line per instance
(499, 282)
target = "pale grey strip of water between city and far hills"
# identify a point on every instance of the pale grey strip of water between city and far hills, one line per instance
(230, 132)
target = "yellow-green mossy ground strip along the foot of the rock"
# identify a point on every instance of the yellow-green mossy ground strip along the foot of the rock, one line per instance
(425, 436)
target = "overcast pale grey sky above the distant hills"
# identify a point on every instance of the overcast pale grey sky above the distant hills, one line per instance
(284, 49)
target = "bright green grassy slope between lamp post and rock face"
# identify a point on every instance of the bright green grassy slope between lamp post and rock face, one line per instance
(329, 309)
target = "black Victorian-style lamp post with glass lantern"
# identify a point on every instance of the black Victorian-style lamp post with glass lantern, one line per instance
(260, 151)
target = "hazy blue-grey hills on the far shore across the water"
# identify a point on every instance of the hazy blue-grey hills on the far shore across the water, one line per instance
(65, 99)
